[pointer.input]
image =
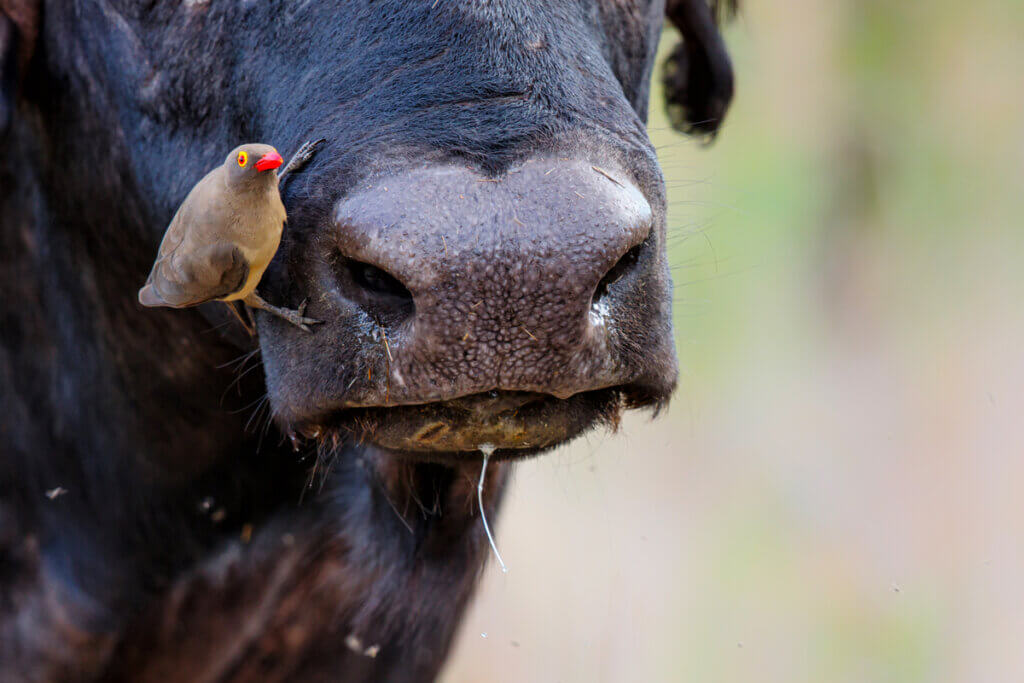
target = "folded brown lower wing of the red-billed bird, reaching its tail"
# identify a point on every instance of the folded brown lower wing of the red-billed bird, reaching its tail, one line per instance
(190, 277)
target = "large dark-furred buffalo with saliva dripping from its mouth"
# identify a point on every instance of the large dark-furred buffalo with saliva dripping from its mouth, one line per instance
(483, 236)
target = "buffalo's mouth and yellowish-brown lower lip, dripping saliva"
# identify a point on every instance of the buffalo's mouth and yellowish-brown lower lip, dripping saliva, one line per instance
(518, 424)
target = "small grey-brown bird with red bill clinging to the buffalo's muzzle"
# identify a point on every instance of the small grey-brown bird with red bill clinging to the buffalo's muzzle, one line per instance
(225, 235)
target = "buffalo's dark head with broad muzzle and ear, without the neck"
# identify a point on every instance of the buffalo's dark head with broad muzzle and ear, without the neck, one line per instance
(484, 234)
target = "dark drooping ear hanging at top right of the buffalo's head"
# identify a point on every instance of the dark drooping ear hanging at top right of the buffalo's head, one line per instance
(698, 73)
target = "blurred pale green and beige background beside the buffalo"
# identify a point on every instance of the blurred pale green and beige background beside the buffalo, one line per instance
(837, 493)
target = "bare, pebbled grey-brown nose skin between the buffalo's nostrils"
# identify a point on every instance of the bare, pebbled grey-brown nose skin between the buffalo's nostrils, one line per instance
(502, 275)
